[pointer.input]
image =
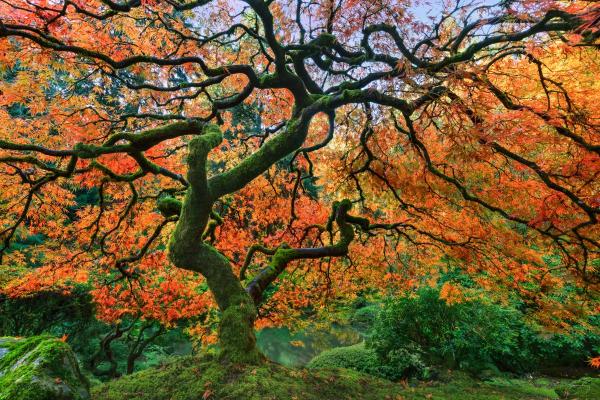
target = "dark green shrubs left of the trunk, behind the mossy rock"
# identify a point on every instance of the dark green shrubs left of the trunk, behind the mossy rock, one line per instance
(71, 315)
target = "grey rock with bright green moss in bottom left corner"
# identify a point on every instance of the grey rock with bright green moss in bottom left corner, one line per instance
(40, 368)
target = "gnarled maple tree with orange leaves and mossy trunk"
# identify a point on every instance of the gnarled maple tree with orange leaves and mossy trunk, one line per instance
(463, 136)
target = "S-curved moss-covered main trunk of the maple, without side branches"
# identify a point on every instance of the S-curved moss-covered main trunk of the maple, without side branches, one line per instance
(188, 250)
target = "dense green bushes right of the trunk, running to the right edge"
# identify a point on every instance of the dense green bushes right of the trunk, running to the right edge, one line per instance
(474, 336)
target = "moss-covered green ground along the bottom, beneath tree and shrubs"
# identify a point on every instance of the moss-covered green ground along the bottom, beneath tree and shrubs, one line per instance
(190, 378)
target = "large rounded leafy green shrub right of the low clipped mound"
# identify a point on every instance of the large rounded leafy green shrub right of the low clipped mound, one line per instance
(469, 335)
